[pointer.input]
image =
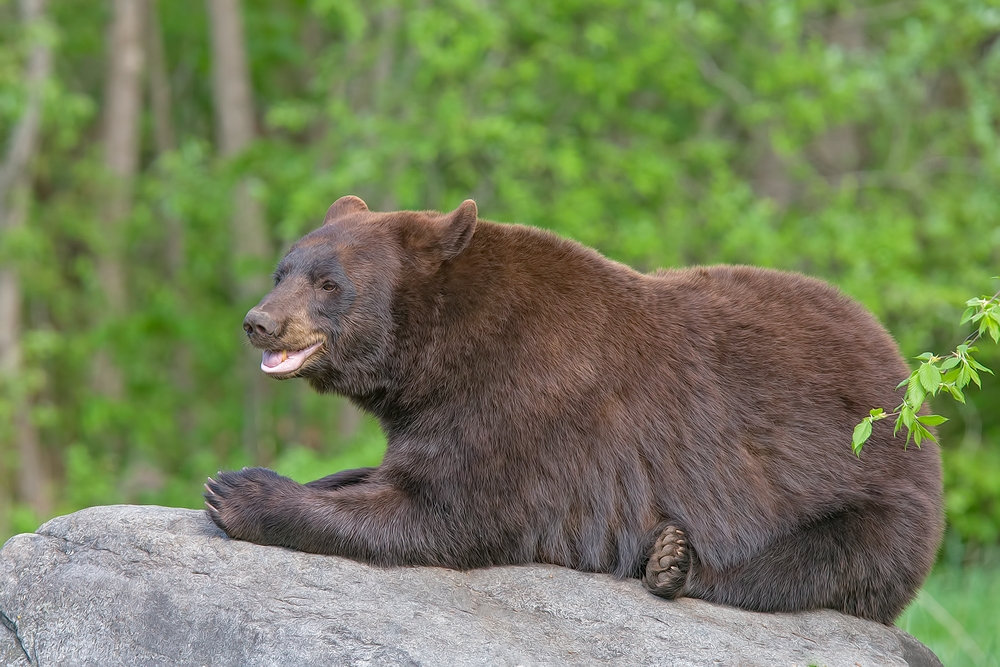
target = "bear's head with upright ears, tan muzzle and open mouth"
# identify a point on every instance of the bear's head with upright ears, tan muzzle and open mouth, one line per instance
(345, 293)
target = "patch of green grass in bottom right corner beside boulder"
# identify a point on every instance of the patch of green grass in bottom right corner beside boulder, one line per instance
(957, 614)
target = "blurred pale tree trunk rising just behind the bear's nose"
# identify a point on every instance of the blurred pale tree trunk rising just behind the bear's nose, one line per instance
(251, 249)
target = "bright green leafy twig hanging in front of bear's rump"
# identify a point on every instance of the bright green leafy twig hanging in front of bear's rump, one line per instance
(951, 373)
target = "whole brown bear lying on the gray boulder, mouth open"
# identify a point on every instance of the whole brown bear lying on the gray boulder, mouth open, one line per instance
(544, 404)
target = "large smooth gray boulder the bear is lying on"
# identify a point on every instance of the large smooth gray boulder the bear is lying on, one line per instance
(158, 586)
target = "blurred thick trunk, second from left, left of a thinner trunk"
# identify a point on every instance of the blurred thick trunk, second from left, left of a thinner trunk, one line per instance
(120, 136)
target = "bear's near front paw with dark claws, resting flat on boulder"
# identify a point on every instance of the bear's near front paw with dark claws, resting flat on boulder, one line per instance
(245, 503)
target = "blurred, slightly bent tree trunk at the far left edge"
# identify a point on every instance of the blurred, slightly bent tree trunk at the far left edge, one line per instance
(33, 484)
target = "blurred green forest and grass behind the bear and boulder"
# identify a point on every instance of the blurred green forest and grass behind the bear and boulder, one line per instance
(158, 157)
